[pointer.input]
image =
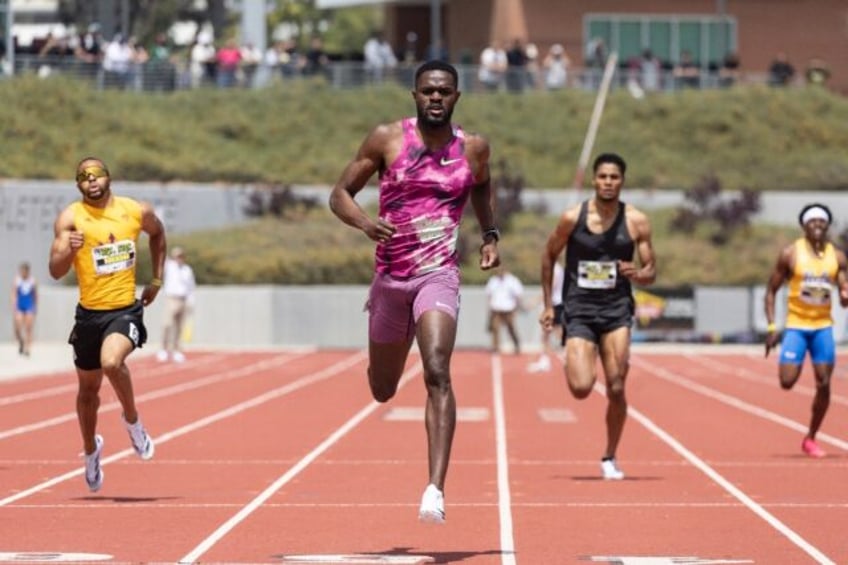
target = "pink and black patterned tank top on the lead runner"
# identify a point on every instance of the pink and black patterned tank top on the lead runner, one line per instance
(423, 193)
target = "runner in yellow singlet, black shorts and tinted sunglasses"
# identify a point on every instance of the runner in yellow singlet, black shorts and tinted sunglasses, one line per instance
(97, 236)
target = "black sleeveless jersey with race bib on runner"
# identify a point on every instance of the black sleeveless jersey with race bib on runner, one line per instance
(591, 268)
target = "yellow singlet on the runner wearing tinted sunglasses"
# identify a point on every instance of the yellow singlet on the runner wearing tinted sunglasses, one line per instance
(105, 265)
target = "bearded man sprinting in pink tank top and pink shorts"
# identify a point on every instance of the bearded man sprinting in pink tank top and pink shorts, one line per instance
(428, 169)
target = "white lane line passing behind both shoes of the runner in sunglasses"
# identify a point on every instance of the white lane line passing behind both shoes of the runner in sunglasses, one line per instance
(231, 411)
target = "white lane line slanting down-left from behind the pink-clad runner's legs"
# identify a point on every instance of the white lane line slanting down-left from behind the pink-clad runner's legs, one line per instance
(254, 504)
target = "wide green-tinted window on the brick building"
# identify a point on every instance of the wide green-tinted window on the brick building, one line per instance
(708, 38)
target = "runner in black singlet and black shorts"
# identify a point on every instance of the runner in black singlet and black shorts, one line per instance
(600, 237)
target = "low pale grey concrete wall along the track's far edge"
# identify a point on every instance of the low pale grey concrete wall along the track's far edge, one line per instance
(333, 316)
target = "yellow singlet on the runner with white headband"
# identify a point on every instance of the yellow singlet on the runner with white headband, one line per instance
(810, 287)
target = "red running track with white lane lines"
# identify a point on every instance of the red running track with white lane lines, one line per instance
(282, 457)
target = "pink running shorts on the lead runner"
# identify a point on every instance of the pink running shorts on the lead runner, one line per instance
(395, 305)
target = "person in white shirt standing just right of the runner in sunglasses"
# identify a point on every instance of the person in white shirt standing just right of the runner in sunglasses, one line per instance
(178, 286)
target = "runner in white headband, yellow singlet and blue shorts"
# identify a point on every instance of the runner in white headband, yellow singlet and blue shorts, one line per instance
(811, 267)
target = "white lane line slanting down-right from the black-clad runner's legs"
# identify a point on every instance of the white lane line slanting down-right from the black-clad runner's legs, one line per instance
(737, 493)
